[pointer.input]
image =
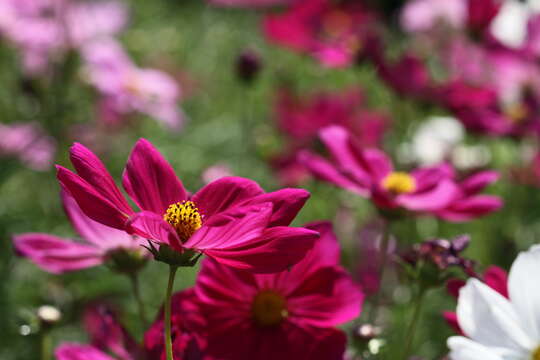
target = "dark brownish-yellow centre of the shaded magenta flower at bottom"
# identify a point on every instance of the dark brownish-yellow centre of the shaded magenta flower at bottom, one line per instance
(269, 308)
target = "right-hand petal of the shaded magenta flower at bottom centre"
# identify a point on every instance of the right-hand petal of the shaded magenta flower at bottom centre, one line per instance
(328, 297)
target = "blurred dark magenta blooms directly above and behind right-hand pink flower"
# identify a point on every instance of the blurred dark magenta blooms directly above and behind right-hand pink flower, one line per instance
(301, 118)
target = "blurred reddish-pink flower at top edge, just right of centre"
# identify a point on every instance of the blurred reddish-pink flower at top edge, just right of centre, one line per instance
(333, 33)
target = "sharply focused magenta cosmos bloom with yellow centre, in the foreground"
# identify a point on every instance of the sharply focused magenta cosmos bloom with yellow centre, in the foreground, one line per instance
(231, 219)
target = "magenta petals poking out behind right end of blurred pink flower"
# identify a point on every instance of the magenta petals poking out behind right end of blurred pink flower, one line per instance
(469, 204)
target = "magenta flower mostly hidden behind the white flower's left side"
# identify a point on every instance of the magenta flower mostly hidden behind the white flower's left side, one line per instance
(494, 277)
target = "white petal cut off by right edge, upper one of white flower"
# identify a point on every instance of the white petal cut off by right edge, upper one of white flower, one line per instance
(524, 290)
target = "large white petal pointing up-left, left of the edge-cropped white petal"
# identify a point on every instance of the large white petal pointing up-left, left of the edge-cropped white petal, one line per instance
(489, 319)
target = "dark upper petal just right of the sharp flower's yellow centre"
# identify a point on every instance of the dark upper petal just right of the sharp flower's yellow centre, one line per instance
(224, 193)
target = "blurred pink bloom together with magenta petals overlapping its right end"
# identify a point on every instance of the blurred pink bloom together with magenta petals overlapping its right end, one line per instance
(370, 173)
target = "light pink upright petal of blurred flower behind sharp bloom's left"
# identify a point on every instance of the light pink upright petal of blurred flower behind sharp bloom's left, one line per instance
(100, 235)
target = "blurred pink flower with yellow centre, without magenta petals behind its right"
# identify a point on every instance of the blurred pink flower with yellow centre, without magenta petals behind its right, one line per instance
(369, 173)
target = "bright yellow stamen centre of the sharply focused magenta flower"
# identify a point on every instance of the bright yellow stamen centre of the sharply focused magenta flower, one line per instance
(184, 217)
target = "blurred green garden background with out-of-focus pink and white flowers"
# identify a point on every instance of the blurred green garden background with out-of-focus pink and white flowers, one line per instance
(239, 88)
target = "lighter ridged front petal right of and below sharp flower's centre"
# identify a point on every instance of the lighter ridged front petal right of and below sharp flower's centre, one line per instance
(246, 225)
